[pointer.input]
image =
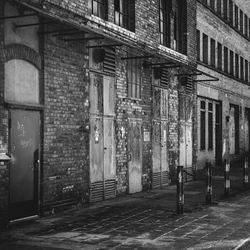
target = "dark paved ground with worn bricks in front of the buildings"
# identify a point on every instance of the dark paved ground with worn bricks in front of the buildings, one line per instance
(144, 220)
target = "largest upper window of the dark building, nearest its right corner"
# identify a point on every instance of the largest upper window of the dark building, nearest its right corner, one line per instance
(173, 20)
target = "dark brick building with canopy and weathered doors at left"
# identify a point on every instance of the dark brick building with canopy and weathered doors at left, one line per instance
(96, 99)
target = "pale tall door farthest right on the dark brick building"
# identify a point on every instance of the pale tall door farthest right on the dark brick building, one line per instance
(186, 145)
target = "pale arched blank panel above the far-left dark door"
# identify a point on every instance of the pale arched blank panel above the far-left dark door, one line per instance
(21, 82)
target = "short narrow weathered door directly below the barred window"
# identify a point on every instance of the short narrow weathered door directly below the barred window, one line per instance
(135, 156)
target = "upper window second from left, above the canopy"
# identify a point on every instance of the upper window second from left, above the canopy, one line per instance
(125, 14)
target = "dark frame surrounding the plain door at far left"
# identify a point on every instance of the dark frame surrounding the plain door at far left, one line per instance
(38, 108)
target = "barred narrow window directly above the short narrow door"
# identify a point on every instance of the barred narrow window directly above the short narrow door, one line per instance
(134, 78)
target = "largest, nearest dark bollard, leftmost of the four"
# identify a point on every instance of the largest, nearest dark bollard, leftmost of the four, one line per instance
(180, 190)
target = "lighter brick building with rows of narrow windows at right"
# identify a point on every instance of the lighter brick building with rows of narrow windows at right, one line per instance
(223, 45)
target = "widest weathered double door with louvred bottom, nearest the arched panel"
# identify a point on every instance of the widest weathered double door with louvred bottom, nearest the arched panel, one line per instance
(102, 142)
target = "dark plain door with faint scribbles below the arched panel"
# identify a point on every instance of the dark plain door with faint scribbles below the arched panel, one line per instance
(24, 169)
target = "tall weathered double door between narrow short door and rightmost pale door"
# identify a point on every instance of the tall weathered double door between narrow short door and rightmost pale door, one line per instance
(159, 138)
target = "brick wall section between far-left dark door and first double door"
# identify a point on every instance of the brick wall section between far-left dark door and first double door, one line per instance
(66, 145)
